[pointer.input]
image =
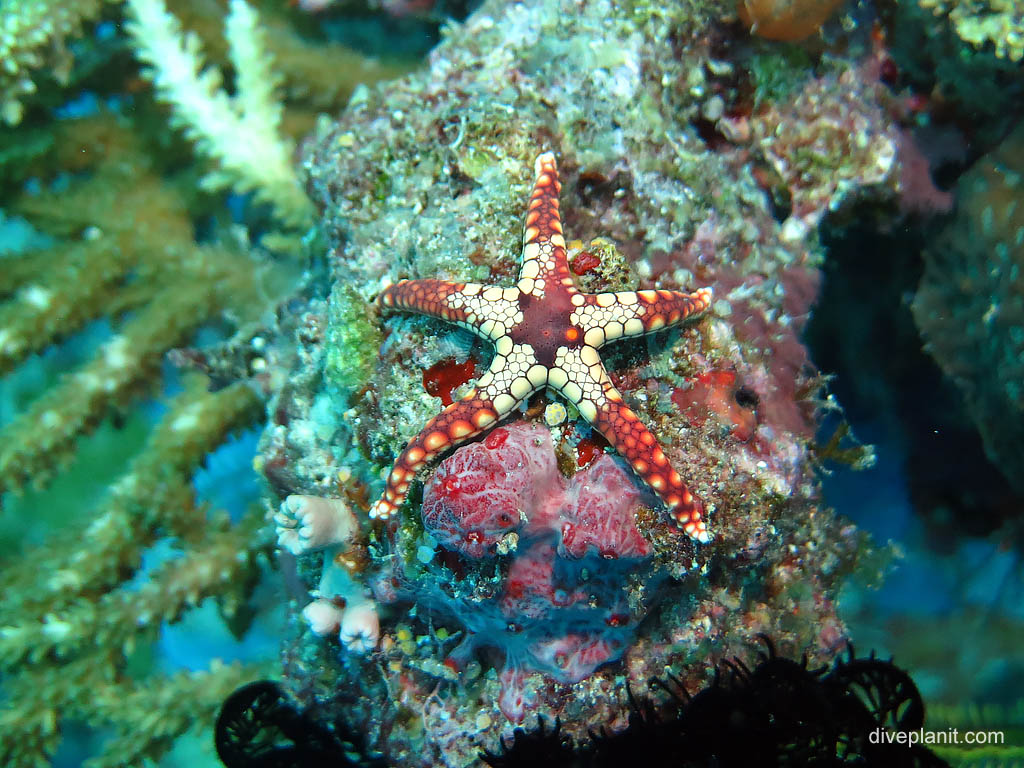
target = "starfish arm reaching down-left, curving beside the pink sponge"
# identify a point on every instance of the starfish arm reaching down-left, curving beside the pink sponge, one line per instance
(490, 402)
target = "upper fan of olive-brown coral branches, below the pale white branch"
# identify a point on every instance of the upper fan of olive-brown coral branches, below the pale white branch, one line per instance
(139, 254)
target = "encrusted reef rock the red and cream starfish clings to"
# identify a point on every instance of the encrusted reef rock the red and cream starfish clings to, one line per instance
(529, 570)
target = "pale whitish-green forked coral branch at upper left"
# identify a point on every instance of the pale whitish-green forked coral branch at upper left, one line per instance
(241, 135)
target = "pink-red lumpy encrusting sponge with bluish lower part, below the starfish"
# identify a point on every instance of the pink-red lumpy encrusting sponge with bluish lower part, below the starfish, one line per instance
(563, 608)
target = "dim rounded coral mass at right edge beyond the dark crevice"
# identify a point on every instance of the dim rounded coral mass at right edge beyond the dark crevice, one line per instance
(970, 304)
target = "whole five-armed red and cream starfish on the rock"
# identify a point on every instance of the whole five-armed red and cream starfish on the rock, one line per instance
(546, 334)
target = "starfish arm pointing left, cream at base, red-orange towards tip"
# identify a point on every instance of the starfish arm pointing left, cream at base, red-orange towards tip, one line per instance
(487, 311)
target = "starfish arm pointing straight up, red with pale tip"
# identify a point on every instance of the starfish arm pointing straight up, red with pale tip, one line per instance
(544, 261)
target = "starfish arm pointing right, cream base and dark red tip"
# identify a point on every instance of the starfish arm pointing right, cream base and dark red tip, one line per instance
(607, 317)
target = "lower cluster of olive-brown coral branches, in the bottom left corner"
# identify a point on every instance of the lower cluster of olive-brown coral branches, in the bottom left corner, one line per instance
(72, 627)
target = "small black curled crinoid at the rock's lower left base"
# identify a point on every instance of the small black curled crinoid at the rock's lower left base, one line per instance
(259, 728)
